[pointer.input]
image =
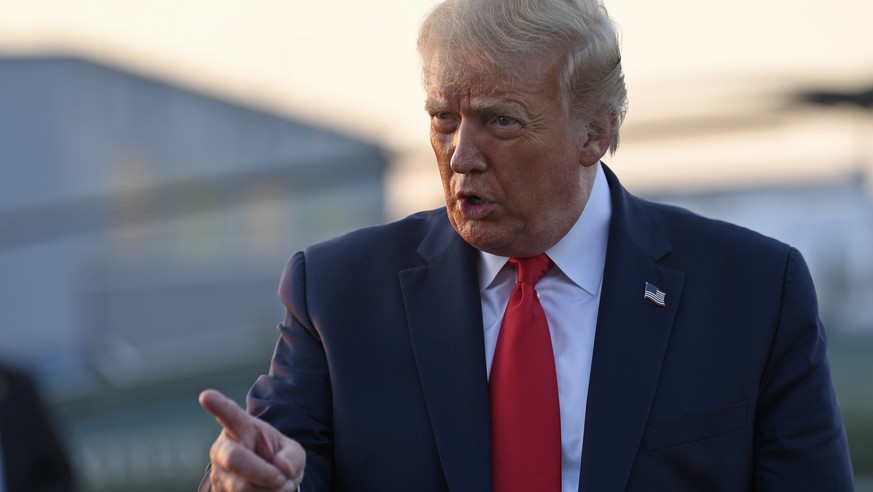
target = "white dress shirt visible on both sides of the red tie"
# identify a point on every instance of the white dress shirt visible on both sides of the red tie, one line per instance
(570, 296)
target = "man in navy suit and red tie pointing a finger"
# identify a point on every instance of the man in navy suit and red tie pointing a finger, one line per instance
(684, 353)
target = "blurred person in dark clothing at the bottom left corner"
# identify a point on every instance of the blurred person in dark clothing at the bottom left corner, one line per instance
(32, 458)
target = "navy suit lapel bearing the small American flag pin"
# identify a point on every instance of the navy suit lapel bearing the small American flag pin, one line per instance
(630, 342)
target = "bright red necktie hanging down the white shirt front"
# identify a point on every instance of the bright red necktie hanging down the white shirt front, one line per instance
(525, 416)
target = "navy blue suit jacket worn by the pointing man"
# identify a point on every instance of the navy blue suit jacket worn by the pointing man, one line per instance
(380, 371)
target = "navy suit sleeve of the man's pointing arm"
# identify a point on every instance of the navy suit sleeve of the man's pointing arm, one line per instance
(295, 397)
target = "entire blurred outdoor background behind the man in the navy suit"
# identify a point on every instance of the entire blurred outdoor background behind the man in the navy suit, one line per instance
(160, 161)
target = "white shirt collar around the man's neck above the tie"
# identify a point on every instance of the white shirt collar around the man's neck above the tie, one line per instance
(581, 253)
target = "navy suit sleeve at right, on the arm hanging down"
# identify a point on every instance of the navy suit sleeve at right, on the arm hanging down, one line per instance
(800, 443)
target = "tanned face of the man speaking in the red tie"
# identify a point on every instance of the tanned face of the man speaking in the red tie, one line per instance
(515, 170)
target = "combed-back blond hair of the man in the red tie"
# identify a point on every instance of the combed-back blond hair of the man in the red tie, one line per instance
(473, 37)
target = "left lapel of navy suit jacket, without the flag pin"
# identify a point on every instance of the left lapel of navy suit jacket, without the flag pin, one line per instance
(444, 313)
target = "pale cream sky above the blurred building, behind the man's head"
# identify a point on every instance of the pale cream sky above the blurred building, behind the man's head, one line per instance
(352, 65)
